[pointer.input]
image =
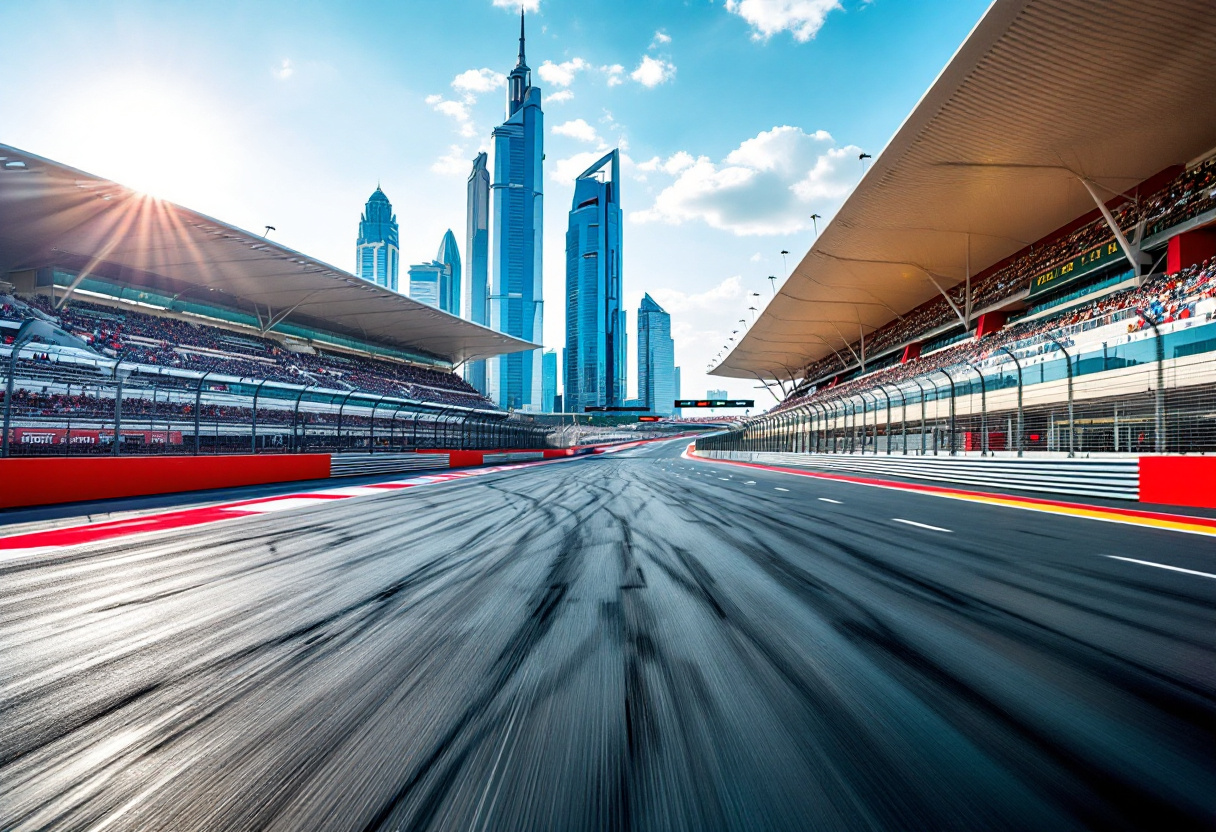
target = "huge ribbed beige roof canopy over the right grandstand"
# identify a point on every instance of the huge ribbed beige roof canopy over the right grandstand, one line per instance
(1042, 94)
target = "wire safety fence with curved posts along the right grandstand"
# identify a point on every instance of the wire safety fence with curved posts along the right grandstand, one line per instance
(1102, 387)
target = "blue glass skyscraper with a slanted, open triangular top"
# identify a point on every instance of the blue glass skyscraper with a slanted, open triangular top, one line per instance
(595, 323)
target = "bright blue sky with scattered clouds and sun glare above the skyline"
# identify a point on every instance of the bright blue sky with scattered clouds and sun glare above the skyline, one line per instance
(736, 120)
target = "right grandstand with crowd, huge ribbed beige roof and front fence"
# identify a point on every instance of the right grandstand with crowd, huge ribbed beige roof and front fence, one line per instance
(1017, 272)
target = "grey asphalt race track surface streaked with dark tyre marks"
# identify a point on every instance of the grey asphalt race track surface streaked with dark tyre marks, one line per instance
(635, 642)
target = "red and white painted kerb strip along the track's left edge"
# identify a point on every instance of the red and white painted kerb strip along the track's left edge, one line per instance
(52, 539)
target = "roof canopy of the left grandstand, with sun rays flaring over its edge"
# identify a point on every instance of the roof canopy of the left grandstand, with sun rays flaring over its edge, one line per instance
(52, 215)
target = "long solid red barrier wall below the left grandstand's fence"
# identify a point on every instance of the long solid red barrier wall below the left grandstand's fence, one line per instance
(40, 482)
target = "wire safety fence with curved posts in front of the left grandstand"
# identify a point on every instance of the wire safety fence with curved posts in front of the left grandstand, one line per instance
(59, 407)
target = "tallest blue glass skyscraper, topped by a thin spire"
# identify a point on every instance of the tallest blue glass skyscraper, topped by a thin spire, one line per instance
(517, 198)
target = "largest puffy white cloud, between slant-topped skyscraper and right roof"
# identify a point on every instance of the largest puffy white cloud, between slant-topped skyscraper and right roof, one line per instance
(770, 184)
